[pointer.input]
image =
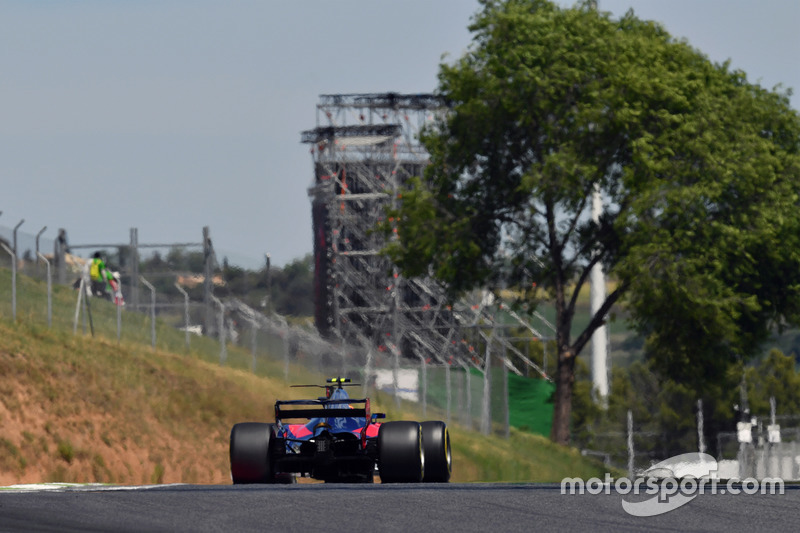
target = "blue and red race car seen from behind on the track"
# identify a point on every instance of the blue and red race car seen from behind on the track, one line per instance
(340, 441)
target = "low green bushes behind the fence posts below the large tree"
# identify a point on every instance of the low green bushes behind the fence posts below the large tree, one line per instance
(665, 412)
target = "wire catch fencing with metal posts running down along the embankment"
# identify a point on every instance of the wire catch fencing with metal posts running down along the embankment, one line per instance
(230, 333)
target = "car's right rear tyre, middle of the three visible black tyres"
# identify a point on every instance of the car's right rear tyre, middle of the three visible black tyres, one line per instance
(400, 454)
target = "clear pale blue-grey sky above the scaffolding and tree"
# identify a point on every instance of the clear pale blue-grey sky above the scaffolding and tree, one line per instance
(171, 115)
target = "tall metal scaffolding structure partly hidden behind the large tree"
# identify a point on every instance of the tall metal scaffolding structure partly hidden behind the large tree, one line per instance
(364, 149)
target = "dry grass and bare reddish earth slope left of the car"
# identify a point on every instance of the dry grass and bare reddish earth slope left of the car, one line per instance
(83, 410)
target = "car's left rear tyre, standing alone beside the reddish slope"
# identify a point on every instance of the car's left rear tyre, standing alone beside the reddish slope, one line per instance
(250, 453)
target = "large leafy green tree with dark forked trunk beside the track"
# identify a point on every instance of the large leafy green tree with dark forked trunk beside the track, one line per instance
(697, 170)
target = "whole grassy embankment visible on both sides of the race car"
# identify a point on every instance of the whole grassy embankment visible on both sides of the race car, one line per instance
(77, 408)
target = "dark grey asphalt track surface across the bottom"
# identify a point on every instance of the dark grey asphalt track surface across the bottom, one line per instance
(357, 508)
